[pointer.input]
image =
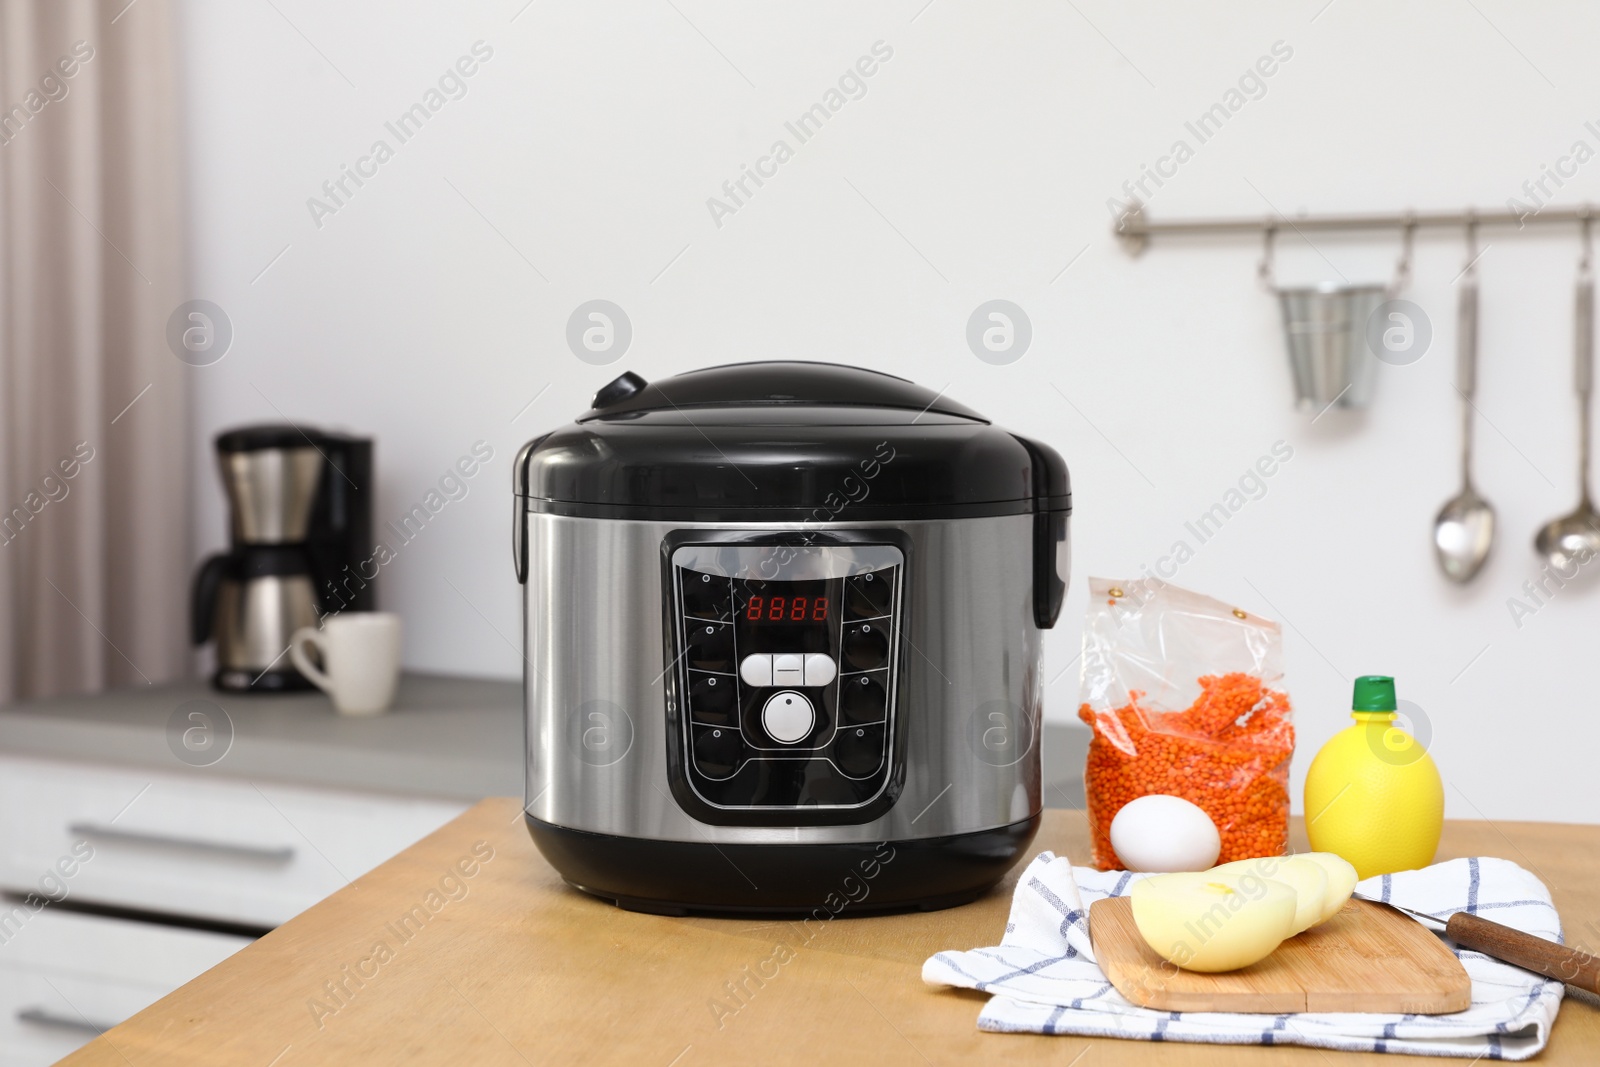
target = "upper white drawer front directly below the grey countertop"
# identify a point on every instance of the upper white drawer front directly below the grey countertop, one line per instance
(204, 847)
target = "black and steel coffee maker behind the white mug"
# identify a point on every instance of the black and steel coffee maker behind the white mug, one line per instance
(300, 514)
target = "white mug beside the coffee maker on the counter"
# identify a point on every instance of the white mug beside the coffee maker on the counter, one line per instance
(361, 657)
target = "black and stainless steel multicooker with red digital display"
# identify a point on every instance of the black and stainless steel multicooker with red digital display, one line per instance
(783, 641)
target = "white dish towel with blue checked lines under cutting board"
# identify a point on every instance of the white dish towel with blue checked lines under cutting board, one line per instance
(1044, 977)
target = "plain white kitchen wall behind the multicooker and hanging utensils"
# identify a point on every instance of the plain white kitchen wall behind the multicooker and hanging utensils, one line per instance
(991, 142)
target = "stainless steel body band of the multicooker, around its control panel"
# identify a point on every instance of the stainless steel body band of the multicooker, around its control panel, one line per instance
(604, 698)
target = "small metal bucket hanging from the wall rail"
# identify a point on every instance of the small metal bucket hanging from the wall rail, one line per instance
(1326, 332)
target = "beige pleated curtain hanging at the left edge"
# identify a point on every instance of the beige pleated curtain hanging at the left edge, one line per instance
(92, 398)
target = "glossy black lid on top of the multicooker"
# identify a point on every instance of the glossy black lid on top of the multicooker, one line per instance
(786, 442)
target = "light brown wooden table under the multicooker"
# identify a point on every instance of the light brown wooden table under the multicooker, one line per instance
(513, 967)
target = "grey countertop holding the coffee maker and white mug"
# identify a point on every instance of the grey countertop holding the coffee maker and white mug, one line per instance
(458, 738)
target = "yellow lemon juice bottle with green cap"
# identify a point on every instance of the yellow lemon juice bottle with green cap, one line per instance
(1374, 794)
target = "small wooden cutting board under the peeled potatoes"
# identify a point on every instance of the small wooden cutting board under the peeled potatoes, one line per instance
(1364, 959)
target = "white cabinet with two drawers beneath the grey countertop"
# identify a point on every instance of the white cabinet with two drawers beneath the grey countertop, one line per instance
(102, 868)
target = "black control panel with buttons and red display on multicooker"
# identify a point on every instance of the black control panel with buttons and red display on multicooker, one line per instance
(785, 666)
